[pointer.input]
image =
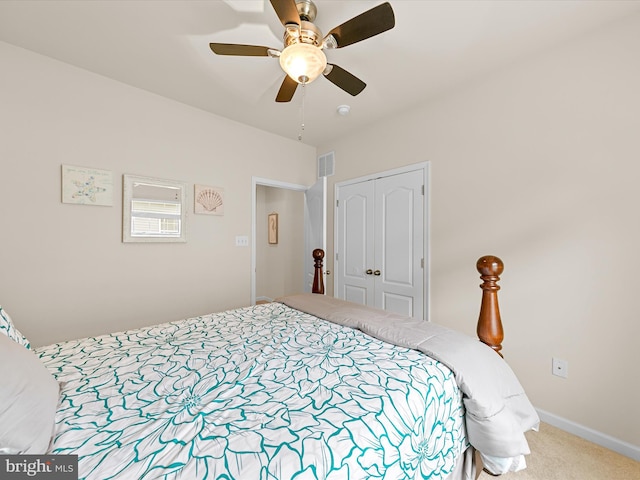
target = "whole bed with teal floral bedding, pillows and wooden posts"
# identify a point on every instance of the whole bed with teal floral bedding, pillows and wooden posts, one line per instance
(306, 387)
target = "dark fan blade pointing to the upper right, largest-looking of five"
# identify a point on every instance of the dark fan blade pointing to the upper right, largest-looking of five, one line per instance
(366, 25)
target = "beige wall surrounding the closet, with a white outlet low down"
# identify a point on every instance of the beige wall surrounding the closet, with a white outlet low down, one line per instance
(540, 165)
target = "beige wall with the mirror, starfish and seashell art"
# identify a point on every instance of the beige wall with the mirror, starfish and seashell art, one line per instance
(64, 272)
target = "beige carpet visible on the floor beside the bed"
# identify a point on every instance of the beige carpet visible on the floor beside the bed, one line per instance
(558, 455)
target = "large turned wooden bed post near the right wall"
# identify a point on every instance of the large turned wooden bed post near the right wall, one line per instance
(489, 323)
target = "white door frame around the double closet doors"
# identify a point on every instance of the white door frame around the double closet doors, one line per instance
(425, 167)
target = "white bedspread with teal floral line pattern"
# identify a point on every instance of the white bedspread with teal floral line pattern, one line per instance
(264, 392)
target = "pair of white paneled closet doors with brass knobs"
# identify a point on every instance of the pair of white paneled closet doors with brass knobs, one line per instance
(381, 243)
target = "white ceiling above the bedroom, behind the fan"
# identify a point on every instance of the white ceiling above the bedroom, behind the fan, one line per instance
(163, 47)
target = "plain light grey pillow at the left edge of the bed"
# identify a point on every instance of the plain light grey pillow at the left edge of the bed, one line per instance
(28, 400)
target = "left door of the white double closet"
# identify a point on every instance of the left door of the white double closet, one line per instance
(355, 243)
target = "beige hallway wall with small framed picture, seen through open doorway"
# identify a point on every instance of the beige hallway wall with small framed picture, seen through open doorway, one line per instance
(280, 267)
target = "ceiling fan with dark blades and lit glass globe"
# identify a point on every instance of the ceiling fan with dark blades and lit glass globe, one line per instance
(302, 57)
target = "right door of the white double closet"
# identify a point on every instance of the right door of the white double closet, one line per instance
(398, 244)
